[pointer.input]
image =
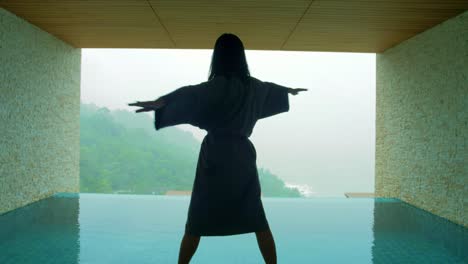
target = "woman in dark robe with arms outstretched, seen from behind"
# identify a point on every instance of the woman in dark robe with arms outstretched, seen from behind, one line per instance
(226, 192)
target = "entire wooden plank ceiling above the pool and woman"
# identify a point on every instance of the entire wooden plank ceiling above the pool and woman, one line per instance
(310, 25)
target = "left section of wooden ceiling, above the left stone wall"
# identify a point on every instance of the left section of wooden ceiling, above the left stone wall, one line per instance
(113, 24)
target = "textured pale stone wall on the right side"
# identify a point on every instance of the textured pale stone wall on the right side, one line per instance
(422, 116)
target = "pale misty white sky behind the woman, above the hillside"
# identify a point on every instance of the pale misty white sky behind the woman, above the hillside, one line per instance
(326, 141)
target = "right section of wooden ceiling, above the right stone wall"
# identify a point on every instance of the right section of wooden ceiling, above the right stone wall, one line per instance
(368, 25)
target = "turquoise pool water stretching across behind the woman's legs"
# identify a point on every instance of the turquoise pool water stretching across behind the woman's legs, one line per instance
(97, 228)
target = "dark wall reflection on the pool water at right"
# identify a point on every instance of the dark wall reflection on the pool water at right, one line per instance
(404, 233)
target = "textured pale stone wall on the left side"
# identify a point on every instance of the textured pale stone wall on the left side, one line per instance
(39, 114)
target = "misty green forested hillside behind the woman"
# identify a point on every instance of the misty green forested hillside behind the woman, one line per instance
(122, 152)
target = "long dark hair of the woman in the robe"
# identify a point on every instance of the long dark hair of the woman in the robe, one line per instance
(228, 58)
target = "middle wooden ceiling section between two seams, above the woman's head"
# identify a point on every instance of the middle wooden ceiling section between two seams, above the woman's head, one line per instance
(261, 24)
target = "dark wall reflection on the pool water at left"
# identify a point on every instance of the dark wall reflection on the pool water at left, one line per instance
(42, 232)
